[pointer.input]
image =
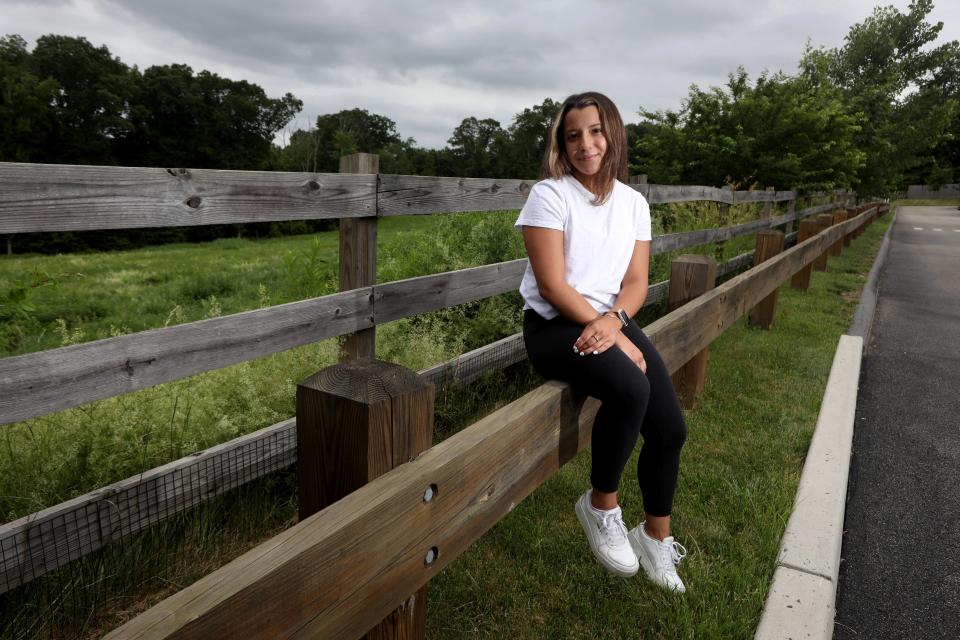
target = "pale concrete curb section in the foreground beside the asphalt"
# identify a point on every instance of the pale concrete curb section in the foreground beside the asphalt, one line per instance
(802, 596)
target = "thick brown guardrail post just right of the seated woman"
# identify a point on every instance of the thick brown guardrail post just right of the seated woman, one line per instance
(691, 276)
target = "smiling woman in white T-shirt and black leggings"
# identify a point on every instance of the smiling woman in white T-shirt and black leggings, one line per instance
(588, 238)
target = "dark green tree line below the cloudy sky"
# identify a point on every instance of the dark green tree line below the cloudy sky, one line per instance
(875, 114)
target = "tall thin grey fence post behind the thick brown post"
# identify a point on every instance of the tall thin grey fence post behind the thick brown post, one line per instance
(358, 258)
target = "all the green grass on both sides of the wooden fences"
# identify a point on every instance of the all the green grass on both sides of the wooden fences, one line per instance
(742, 457)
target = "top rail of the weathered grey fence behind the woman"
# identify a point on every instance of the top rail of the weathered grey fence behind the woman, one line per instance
(38, 197)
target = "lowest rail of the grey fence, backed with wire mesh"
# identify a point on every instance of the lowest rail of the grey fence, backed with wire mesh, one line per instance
(43, 541)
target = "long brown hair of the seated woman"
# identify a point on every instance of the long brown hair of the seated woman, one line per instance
(556, 164)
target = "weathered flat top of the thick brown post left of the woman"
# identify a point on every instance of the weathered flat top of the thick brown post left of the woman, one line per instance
(366, 381)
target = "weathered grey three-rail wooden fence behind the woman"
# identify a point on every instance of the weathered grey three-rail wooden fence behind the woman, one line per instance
(45, 198)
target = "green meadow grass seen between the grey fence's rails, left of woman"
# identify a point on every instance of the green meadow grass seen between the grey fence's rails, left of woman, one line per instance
(49, 459)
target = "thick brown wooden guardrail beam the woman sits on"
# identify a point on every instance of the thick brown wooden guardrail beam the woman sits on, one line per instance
(335, 575)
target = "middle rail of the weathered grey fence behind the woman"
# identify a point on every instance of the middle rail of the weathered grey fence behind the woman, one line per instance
(39, 383)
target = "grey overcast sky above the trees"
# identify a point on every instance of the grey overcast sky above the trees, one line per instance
(428, 65)
